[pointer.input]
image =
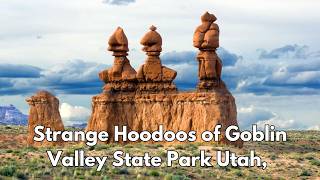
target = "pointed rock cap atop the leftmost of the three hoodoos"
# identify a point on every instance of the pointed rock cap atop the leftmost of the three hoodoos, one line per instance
(118, 41)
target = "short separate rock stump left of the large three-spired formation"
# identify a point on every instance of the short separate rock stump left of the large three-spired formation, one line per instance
(44, 110)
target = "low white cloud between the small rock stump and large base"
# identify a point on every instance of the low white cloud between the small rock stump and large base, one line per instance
(74, 114)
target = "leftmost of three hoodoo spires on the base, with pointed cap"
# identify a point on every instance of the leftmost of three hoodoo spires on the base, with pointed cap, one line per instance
(121, 76)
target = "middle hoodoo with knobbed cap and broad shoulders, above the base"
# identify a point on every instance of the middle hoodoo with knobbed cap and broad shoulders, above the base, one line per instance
(152, 76)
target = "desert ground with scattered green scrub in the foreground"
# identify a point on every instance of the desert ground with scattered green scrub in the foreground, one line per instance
(298, 158)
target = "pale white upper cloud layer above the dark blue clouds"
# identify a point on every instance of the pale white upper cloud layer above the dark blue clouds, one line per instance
(79, 28)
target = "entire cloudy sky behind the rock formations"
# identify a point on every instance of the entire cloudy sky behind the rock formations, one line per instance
(270, 51)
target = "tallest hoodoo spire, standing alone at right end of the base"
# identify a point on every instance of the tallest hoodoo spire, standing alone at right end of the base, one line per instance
(206, 38)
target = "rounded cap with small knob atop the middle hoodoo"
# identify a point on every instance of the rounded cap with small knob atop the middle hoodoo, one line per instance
(152, 41)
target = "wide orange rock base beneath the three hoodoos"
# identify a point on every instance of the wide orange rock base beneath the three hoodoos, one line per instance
(198, 111)
